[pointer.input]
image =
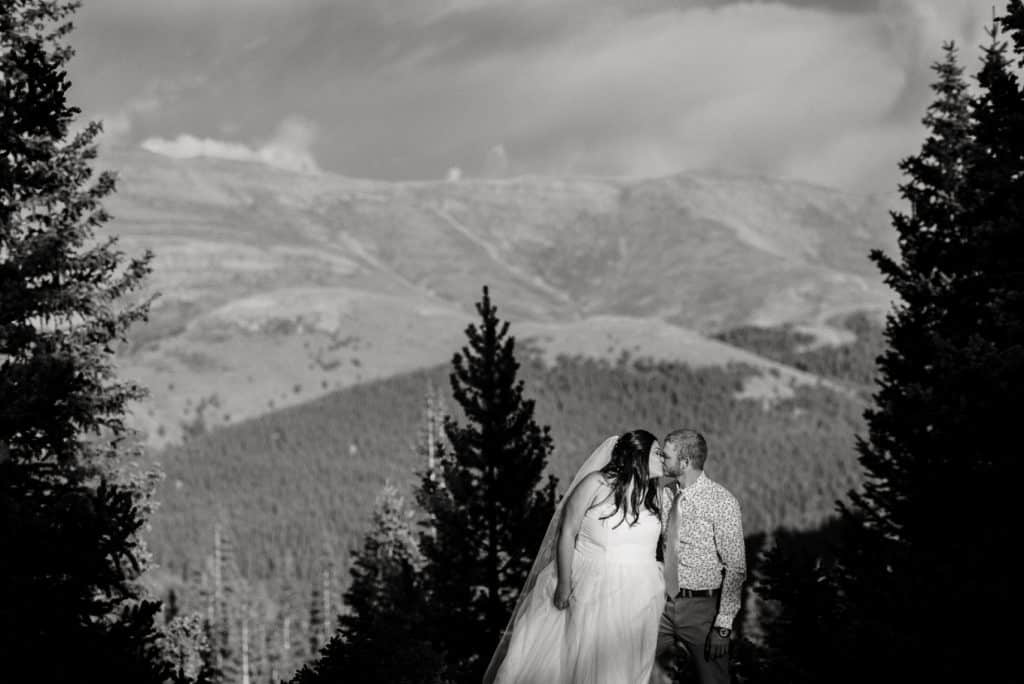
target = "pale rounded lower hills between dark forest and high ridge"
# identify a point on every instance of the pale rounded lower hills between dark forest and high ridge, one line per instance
(281, 349)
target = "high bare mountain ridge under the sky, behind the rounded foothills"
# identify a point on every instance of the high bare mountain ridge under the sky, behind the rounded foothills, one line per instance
(707, 251)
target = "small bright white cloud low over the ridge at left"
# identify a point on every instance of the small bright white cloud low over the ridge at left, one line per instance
(290, 149)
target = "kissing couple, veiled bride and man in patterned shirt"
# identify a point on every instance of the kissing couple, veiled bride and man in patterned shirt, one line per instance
(598, 607)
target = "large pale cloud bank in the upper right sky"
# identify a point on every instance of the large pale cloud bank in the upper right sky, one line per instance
(781, 91)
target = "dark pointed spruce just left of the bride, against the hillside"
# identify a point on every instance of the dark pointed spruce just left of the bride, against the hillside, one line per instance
(489, 509)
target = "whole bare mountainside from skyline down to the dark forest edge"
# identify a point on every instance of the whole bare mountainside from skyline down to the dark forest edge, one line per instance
(279, 287)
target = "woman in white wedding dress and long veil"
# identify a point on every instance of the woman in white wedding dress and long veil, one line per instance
(589, 612)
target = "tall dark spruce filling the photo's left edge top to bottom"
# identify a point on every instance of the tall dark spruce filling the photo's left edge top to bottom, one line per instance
(71, 607)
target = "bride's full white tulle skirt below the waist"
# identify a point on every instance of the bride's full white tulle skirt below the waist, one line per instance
(607, 636)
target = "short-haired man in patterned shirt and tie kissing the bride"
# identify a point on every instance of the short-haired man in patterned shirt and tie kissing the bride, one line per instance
(705, 563)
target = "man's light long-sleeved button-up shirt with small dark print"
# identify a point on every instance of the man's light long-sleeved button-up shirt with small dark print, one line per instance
(711, 542)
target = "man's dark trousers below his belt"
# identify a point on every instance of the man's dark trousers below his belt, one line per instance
(682, 634)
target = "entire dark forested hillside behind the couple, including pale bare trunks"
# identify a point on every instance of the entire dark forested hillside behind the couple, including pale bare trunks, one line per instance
(266, 515)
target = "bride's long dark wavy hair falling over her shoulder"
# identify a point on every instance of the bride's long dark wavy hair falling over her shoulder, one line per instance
(629, 476)
